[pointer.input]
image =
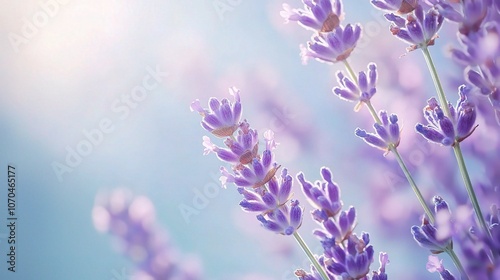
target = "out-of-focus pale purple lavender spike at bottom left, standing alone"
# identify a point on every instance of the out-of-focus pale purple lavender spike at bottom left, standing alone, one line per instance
(132, 220)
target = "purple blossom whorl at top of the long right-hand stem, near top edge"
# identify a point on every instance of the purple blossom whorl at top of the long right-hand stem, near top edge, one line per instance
(419, 29)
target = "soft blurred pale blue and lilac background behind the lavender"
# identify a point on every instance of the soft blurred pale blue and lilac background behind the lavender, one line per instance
(77, 66)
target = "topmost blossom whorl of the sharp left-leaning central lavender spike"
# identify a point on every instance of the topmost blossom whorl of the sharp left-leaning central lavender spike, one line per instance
(223, 117)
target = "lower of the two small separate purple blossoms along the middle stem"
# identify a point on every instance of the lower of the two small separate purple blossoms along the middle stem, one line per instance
(388, 133)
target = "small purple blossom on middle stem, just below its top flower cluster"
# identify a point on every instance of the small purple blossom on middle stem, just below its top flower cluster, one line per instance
(362, 90)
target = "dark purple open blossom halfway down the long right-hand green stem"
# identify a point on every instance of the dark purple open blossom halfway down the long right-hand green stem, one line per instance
(446, 130)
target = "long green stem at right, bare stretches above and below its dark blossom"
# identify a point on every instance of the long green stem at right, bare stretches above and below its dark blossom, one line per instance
(456, 148)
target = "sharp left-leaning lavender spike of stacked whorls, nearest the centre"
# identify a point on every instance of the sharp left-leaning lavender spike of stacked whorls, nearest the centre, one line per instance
(254, 174)
